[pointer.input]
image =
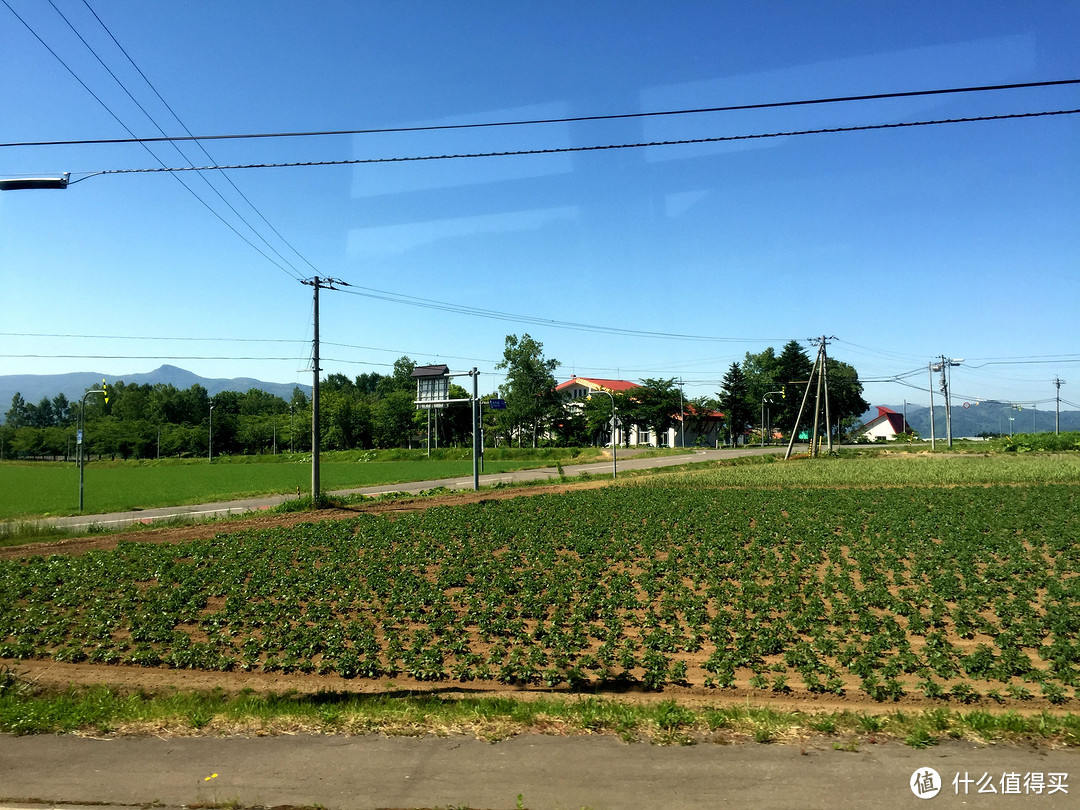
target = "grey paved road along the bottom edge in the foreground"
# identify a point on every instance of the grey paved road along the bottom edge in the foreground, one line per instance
(373, 772)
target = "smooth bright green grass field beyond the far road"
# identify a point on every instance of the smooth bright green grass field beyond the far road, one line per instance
(40, 489)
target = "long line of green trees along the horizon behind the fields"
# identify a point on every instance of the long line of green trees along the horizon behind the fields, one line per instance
(376, 411)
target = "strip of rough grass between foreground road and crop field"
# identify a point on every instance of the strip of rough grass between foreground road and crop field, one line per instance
(25, 710)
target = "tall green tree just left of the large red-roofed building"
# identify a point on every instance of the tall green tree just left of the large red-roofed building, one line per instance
(530, 390)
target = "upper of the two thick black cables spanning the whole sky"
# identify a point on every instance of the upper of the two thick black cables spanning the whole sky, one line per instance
(538, 121)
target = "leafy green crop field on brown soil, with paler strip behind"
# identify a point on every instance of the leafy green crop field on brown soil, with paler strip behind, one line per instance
(927, 580)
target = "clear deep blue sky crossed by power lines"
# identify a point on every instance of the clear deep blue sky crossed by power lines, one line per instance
(909, 244)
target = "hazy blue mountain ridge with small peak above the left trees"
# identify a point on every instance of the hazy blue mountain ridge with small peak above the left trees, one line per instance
(33, 387)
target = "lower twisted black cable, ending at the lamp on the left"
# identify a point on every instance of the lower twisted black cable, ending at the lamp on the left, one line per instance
(597, 148)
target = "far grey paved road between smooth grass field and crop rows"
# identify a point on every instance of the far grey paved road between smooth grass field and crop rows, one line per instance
(117, 520)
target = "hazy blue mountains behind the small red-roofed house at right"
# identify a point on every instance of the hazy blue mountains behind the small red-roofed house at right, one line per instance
(984, 417)
